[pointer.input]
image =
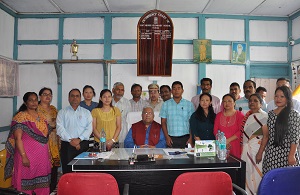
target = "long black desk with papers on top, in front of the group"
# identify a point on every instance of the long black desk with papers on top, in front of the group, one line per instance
(157, 177)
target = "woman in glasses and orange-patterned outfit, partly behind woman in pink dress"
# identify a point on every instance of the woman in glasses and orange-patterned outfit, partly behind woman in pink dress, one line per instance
(50, 113)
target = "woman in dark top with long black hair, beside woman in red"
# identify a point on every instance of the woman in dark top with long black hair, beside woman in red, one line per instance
(202, 120)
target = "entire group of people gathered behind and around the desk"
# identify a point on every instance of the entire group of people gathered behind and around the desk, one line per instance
(264, 135)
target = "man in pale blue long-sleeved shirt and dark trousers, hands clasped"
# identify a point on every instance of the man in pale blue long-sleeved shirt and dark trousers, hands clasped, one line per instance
(74, 127)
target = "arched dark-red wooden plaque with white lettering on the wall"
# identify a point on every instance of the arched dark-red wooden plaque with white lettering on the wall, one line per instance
(155, 44)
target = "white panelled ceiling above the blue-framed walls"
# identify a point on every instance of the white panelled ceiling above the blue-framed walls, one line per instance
(230, 7)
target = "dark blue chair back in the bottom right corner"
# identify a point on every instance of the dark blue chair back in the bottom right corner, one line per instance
(280, 181)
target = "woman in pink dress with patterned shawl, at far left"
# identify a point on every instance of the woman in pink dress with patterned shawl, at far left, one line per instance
(28, 160)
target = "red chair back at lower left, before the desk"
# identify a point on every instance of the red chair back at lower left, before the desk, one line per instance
(87, 183)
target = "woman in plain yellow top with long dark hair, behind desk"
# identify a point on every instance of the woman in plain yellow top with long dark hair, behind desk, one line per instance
(107, 117)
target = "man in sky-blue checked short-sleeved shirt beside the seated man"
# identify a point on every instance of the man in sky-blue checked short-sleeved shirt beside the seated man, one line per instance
(175, 115)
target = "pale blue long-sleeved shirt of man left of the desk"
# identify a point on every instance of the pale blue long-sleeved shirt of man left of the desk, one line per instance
(72, 123)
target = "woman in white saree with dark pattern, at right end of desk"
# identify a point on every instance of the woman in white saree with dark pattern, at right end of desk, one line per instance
(255, 138)
